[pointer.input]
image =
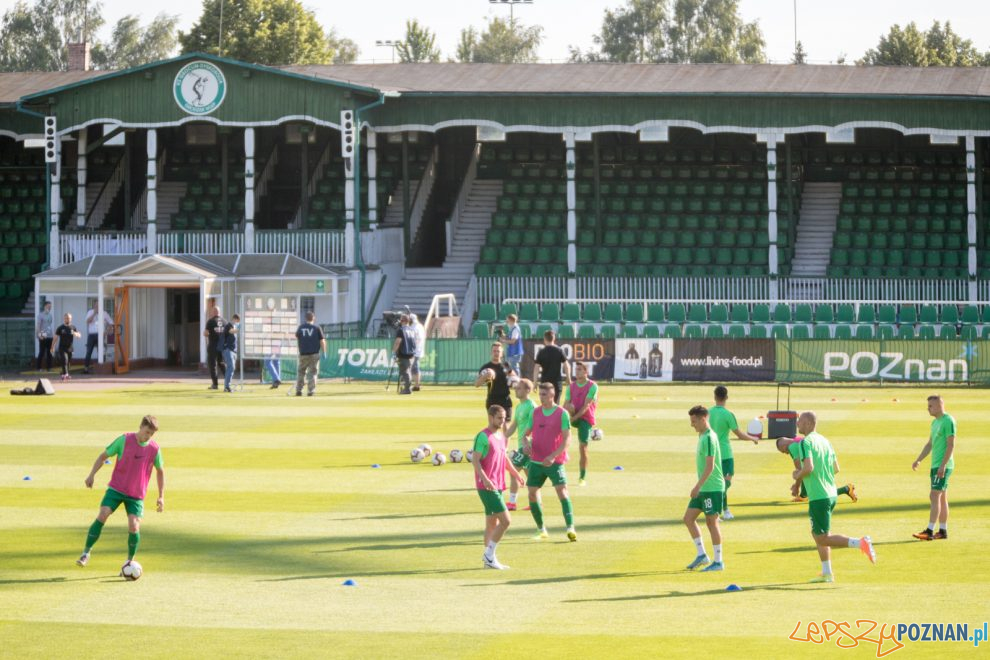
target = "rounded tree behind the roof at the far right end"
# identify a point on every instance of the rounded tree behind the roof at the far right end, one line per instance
(937, 46)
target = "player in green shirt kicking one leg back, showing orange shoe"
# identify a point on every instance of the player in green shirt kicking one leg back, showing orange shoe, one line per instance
(815, 464)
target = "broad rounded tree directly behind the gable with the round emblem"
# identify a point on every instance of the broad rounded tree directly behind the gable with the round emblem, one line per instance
(270, 32)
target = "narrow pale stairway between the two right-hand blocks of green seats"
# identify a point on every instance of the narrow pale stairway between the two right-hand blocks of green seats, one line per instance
(815, 230)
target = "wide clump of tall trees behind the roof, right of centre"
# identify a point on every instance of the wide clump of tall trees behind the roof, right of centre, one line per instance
(677, 31)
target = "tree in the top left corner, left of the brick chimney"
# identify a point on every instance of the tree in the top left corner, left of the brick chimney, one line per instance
(34, 37)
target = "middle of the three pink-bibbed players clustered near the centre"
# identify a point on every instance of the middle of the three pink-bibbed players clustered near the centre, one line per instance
(548, 453)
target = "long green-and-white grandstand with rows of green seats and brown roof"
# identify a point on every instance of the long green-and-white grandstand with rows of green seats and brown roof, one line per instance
(654, 201)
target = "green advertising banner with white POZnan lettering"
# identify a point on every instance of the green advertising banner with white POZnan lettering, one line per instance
(915, 361)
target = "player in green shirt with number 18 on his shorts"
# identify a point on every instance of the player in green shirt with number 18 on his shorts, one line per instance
(706, 496)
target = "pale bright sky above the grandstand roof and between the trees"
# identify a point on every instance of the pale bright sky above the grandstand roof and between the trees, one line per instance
(827, 28)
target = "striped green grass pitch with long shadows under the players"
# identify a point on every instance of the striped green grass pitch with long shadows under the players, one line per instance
(271, 504)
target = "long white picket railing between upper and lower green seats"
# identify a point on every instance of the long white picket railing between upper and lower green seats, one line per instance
(494, 290)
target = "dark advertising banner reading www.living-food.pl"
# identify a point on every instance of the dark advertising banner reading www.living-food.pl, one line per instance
(724, 360)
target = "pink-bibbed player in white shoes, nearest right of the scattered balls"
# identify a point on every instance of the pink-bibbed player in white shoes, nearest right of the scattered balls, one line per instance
(490, 464)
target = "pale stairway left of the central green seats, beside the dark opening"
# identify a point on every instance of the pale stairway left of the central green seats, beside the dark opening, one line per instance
(419, 285)
